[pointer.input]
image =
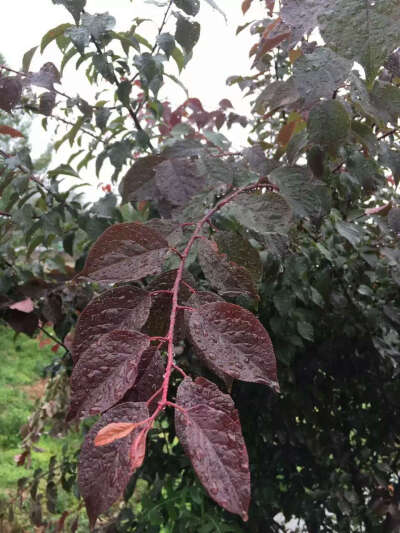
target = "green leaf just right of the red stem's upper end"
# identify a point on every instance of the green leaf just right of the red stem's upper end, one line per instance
(307, 196)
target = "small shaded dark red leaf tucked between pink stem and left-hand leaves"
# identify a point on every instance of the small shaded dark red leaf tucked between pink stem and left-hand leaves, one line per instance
(150, 376)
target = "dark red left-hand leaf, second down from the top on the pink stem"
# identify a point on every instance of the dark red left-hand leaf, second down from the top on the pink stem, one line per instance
(121, 308)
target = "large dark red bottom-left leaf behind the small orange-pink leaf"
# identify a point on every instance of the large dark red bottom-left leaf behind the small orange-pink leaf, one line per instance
(104, 471)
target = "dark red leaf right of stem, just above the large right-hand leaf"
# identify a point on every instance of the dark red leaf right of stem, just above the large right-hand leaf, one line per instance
(228, 278)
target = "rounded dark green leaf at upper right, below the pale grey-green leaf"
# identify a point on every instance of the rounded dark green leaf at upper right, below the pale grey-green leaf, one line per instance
(328, 124)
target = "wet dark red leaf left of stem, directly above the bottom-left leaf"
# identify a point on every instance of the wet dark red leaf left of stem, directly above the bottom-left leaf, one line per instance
(105, 372)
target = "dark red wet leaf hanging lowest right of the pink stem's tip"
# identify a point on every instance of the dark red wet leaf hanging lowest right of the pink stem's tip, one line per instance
(211, 435)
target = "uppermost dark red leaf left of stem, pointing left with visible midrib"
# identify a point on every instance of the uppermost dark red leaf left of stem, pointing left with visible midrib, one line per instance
(125, 252)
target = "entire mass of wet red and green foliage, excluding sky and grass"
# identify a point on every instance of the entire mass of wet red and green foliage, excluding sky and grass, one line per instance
(214, 264)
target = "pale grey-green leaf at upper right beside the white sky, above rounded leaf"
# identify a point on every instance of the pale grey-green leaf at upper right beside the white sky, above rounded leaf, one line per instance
(319, 74)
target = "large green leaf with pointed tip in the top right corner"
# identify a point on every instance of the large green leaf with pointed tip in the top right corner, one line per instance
(362, 31)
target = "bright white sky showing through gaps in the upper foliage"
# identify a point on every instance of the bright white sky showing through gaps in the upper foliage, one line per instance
(218, 55)
